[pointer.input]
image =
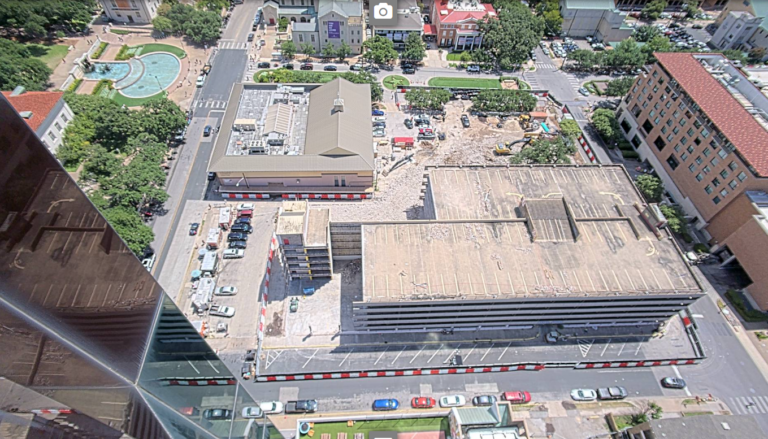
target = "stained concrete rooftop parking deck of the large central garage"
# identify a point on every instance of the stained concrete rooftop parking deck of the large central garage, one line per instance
(500, 232)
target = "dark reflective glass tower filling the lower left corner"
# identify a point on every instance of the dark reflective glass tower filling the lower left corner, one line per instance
(91, 345)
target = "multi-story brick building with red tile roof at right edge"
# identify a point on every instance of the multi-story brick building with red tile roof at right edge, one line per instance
(703, 126)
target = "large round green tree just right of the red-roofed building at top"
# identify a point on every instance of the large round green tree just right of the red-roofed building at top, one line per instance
(511, 35)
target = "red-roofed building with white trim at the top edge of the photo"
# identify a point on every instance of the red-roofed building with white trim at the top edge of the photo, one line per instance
(456, 23)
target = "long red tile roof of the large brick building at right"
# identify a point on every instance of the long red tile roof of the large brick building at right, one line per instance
(730, 117)
